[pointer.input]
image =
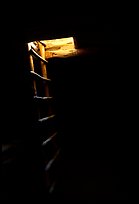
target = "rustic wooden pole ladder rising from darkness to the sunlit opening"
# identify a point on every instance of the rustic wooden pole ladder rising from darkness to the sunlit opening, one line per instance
(44, 117)
